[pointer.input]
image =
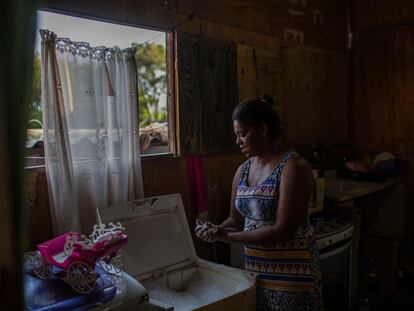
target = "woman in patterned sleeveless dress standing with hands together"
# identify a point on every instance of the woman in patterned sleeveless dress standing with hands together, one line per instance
(269, 213)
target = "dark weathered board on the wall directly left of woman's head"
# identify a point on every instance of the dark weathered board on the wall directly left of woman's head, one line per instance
(219, 94)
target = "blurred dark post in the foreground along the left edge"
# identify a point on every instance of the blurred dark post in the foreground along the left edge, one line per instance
(16, 62)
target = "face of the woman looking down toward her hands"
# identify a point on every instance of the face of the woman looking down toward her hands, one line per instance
(248, 137)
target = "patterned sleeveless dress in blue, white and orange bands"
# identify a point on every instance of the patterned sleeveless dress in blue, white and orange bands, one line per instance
(288, 273)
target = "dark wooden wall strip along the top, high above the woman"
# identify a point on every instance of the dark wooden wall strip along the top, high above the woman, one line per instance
(317, 22)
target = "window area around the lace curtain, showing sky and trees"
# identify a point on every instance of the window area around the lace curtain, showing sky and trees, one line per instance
(153, 59)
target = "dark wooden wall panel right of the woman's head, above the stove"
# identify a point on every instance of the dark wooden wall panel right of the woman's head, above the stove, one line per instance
(315, 83)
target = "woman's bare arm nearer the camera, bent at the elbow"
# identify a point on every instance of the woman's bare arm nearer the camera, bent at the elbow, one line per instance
(295, 189)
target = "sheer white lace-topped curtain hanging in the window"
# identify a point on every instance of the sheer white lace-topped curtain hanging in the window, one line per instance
(90, 118)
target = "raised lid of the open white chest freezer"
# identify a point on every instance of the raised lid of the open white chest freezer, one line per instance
(159, 238)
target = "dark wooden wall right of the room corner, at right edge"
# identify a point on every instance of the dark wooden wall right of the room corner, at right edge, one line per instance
(383, 97)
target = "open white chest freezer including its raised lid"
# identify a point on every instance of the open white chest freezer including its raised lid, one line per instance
(160, 254)
